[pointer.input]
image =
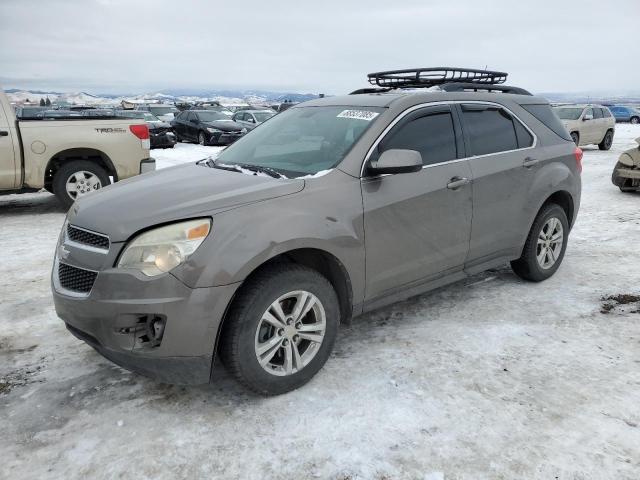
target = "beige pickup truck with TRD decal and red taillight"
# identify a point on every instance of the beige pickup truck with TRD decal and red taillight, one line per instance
(69, 157)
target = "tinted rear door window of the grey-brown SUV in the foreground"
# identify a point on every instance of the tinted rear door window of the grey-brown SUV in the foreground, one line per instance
(490, 129)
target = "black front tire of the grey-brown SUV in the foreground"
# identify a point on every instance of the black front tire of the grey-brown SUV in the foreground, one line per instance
(245, 329)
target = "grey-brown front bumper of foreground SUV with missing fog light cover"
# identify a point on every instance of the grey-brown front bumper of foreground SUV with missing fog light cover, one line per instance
(113, 318)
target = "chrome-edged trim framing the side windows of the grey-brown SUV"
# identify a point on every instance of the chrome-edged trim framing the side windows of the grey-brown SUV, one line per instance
(455, 106)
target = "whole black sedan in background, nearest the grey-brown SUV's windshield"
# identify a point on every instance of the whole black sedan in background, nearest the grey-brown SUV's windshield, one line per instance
(207, 127)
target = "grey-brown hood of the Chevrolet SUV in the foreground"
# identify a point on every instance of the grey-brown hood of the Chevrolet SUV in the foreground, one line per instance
(171, 194)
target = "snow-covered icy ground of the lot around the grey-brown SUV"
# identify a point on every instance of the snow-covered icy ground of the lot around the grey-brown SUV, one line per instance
(490, 378)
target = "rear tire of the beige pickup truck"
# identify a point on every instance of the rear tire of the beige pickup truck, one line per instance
(83, 171)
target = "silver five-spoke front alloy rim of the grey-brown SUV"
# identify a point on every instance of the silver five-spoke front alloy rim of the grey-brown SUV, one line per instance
(290, 333)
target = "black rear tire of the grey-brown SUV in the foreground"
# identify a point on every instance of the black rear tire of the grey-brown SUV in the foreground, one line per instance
(528, 266)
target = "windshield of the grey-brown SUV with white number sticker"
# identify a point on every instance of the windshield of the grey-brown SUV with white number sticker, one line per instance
(302, 141)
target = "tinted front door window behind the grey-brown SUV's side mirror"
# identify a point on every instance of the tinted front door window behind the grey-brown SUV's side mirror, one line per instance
(430, 133)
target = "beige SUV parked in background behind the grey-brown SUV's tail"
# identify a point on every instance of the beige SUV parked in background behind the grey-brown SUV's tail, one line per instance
(588, 124)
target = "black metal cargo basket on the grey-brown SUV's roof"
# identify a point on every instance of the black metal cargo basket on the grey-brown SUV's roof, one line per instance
(449, 79)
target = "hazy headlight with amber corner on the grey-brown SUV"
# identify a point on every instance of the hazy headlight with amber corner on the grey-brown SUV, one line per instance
(163, 249)
